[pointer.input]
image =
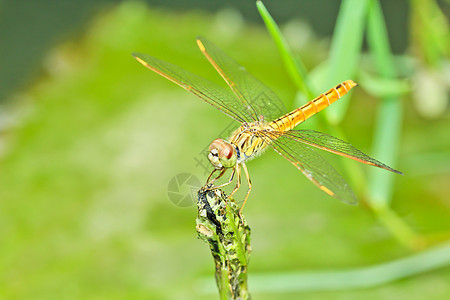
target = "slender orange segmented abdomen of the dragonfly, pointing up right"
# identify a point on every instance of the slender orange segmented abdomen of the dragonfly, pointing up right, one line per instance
(301, 114)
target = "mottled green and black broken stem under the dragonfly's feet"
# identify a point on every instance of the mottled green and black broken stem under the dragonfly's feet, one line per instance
(225, 230)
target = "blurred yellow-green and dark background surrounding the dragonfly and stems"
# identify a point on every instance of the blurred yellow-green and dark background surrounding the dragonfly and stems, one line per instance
(89, 141)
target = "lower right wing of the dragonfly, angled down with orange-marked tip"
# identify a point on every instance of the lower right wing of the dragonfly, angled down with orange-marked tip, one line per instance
(312, 165)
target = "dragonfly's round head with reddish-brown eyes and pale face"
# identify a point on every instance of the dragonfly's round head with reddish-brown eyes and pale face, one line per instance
(222, 154)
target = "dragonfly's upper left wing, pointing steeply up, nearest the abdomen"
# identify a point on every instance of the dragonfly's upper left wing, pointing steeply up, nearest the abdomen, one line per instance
(255, 97)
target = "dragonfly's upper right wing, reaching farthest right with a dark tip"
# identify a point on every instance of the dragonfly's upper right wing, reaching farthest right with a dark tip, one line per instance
(331, 144)
